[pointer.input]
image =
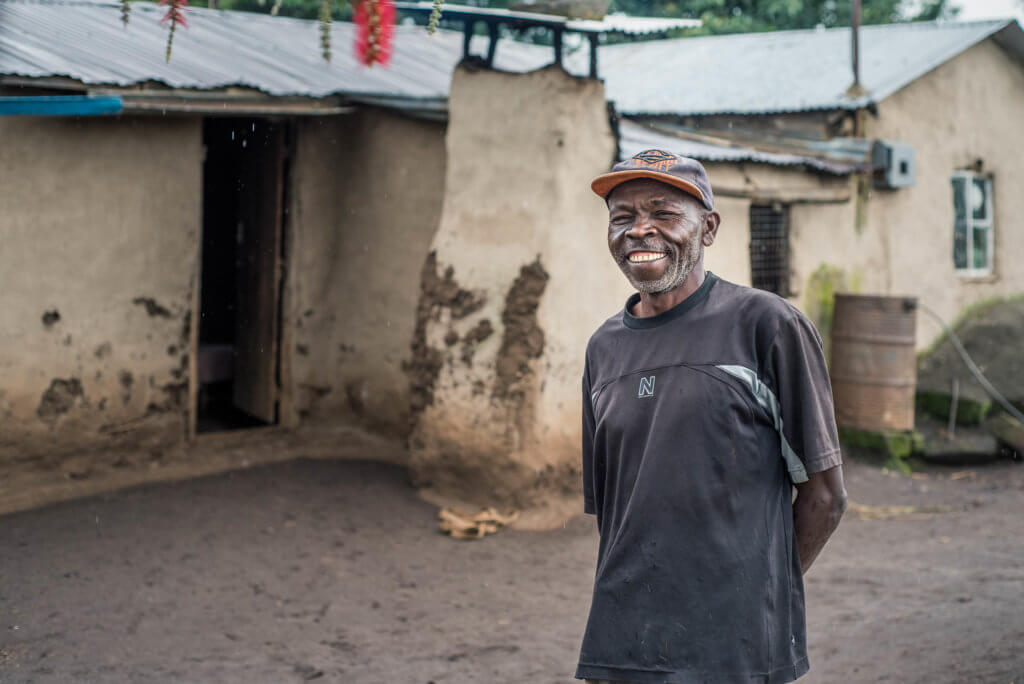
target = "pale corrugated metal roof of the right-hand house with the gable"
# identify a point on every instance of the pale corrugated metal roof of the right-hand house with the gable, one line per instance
(789, 71)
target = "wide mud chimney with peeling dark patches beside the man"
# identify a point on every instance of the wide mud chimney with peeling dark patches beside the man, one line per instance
(519, 279)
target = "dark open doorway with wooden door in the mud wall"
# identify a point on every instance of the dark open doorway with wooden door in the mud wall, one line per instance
(244, 186)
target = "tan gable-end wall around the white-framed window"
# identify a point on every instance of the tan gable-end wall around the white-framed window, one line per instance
(967, 111)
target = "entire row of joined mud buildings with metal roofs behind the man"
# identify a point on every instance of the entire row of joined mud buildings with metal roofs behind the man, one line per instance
(243, 241)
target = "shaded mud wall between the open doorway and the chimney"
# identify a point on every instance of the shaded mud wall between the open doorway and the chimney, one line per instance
(367, 196)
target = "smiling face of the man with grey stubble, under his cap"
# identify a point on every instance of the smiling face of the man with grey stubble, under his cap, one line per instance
(656, 234)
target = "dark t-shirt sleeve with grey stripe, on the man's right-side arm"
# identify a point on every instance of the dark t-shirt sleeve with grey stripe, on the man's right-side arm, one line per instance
(797, 373)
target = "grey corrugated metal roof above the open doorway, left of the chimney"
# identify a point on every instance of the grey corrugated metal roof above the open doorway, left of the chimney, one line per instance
(279, 56)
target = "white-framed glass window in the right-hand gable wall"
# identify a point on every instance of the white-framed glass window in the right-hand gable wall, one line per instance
(972, 224)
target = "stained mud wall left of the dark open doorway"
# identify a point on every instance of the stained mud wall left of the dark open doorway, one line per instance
(100, 229)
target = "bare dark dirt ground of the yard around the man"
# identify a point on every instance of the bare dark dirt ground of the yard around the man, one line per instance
(335, 571)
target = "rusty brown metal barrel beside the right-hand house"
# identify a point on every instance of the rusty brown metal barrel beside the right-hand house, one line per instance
(874, 368)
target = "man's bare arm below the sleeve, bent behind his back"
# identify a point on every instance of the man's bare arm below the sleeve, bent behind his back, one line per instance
(821, 503)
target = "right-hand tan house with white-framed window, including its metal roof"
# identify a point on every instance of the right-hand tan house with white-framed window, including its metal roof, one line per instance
(935, 115)
